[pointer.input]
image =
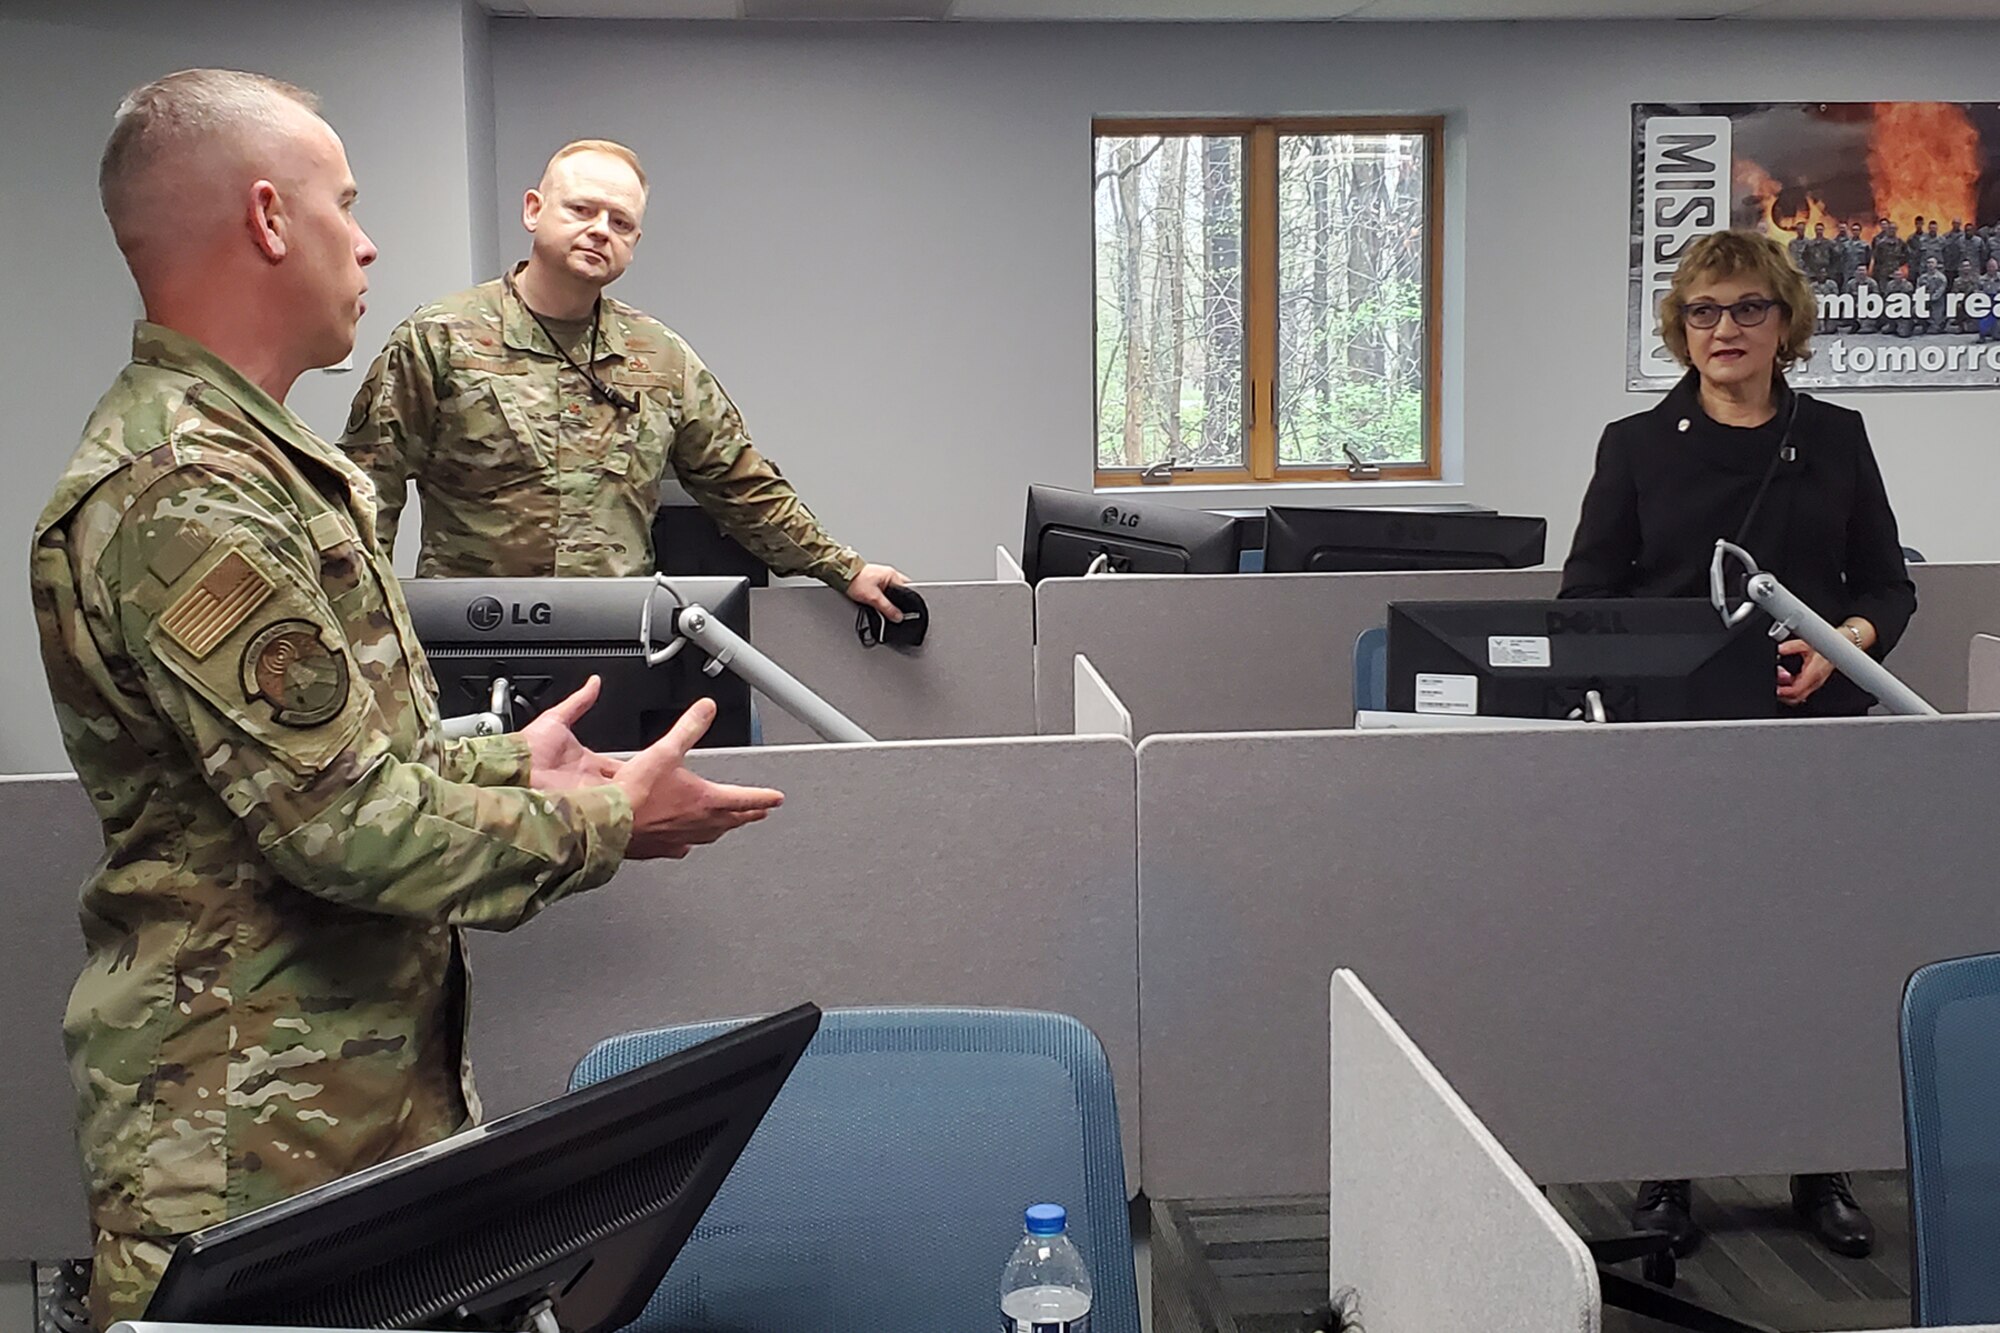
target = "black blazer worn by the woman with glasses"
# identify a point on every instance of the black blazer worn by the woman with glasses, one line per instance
(1671, 481)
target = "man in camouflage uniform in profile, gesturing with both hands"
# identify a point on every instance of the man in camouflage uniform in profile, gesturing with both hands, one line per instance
(275, 992)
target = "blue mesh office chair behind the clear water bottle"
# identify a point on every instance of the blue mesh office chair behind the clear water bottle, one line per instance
(885, 1188)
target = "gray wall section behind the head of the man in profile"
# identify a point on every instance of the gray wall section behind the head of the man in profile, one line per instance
(391, 75)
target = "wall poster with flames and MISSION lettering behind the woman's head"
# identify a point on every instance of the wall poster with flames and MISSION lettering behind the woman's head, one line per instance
(1891, 209)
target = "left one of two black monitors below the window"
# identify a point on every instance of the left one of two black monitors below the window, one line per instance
(1073, 531)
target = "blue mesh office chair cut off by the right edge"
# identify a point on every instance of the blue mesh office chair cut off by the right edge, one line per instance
(1951, 1116)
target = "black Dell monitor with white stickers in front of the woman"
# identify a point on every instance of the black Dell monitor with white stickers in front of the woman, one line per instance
(1643, 659)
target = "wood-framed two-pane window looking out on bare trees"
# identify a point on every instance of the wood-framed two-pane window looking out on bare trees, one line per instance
(1267, 299)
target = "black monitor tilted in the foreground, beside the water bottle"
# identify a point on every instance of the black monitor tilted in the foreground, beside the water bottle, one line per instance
(579, 1204)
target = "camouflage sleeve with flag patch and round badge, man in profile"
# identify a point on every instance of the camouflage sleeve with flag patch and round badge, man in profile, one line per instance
(247, 661)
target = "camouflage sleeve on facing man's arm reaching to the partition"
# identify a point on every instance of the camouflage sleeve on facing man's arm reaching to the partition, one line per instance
(745, 493)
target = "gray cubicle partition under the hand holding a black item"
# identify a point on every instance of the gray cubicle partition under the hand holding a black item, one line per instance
(973, 678)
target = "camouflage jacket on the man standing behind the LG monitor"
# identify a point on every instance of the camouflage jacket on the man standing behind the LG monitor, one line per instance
(525, 471)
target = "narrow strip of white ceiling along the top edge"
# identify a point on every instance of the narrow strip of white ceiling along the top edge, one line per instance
(1237, 11)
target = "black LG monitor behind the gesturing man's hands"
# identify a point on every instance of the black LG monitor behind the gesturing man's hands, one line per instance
(551, 635)
